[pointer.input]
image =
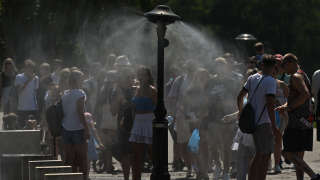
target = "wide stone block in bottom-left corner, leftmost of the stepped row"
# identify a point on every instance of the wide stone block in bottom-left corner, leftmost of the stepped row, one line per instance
(16, 165)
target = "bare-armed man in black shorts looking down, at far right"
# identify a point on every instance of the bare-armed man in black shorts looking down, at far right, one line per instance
(298, 137)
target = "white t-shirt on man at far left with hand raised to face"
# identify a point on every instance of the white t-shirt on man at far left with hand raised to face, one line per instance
(27, 99)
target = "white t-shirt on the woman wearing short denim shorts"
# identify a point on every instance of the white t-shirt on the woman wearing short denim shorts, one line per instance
(71, 119)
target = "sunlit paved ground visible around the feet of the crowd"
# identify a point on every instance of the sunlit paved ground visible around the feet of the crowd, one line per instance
(312, 158)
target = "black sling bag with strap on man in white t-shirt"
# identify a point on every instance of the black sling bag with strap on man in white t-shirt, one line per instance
(247, 123)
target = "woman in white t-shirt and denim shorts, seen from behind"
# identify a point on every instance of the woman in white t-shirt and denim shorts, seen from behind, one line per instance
(75, 133)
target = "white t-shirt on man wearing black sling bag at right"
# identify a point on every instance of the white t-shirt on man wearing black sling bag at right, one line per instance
(268, 86)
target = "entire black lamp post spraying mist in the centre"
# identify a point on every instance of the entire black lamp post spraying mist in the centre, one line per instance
(161, 16)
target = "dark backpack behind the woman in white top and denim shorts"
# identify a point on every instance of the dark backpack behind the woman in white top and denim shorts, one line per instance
(54, 115)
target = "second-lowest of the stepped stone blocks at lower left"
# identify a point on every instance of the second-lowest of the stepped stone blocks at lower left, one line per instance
(41, 171)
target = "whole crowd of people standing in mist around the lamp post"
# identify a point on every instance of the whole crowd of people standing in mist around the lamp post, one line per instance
(109, 106)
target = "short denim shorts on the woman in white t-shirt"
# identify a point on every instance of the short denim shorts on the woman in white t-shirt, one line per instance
(73, 137)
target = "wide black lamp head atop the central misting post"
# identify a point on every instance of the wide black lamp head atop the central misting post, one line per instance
(163, 14)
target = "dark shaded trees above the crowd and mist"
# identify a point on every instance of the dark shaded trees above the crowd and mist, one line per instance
(47, 29)
